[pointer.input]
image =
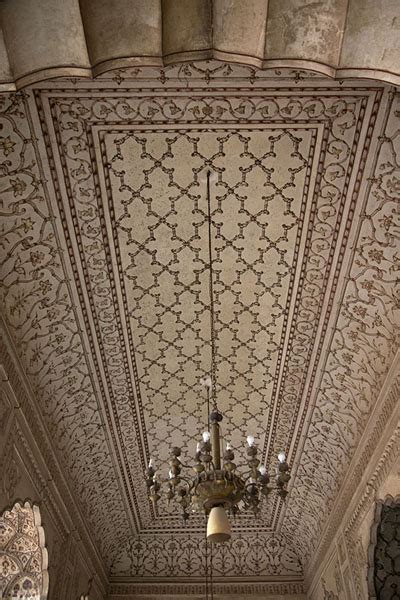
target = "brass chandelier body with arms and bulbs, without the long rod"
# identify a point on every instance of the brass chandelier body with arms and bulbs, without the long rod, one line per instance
(216, 481)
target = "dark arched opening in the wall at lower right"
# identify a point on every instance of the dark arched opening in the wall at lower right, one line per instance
(384, 542)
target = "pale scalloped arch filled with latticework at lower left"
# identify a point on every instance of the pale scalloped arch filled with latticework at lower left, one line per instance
(23, 555)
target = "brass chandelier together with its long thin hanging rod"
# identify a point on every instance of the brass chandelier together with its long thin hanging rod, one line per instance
(214, 485)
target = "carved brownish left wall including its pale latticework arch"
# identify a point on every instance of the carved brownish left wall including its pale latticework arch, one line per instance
(42, 544)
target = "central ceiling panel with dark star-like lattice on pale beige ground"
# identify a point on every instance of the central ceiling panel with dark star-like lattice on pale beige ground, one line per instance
(165, 272)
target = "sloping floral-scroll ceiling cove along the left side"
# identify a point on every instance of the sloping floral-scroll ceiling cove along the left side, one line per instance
(38, 305)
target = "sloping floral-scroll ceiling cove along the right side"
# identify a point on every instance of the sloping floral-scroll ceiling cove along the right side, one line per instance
(364, 341)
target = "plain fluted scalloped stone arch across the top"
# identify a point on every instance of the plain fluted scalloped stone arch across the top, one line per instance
(55, 38)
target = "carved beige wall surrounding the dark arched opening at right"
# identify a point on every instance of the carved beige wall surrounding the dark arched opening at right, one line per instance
(375, 472)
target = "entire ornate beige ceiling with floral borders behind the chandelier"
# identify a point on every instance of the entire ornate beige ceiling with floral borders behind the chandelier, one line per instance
(108, 306)
